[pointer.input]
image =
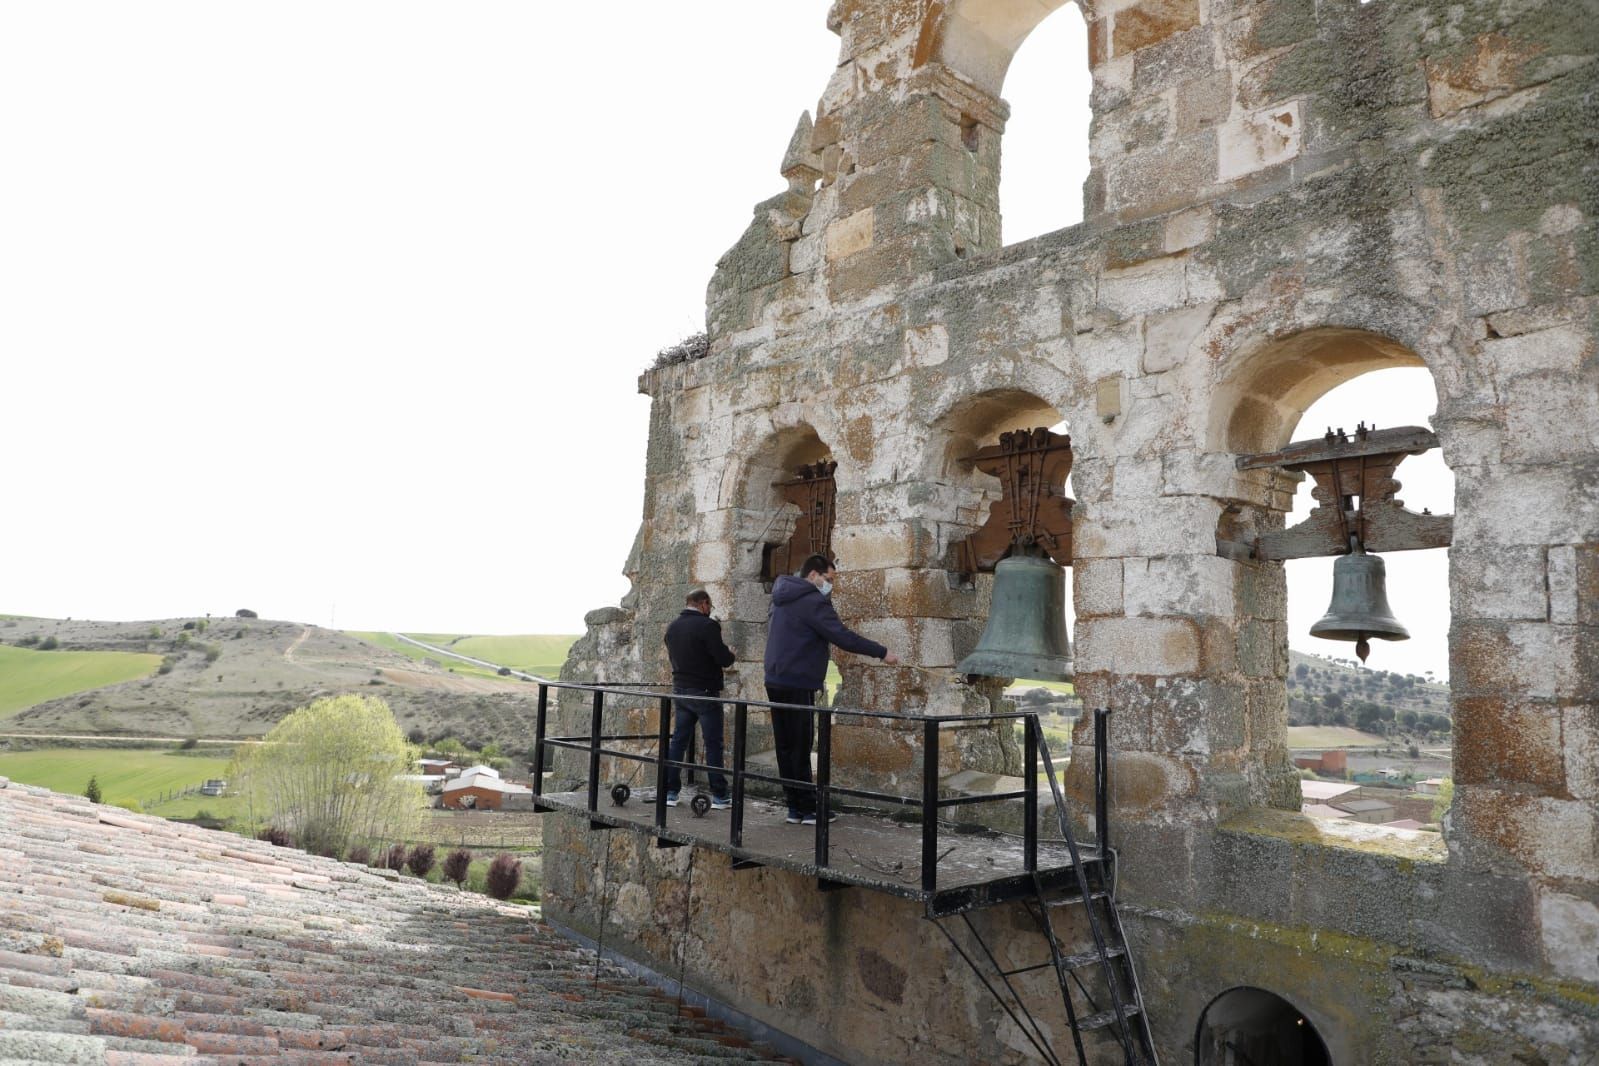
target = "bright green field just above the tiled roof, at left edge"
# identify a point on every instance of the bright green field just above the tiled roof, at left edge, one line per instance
(127, 776)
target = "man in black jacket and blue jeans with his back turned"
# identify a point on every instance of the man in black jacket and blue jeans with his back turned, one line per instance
(698, 659)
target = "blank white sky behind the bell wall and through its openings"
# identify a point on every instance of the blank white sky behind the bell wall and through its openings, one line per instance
(335, 311)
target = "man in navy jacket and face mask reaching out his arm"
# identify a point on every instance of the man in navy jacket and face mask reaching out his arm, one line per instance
(803, 626)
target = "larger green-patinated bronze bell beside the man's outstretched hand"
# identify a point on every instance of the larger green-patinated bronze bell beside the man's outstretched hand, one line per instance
(1027, 622)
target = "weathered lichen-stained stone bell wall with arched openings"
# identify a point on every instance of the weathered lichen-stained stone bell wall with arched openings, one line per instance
(1283, 196)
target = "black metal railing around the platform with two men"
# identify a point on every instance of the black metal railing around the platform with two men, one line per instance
(930, 803)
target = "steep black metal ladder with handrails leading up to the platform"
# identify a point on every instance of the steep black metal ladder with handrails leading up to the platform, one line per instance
(1115, 1004)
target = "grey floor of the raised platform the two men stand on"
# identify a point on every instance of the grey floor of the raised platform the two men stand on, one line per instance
(866, 851)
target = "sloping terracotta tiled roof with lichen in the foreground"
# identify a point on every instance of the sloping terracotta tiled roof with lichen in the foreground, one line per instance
(137, 942)
